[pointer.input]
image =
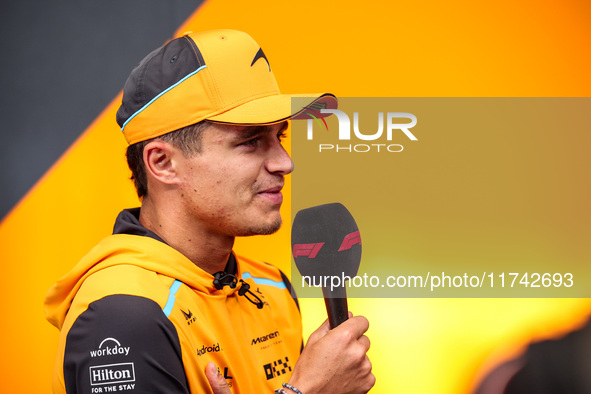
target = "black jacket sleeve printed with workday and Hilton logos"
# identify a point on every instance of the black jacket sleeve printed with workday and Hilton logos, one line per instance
(123, 343)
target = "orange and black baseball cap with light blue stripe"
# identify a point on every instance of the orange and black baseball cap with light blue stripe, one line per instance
(221, 75)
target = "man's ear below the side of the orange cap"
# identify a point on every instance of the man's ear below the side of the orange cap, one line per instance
(159, 160)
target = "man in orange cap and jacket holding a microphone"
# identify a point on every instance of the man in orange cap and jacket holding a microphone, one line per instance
(164, 305)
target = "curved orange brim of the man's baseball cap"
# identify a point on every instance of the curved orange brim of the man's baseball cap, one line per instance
(277, 108)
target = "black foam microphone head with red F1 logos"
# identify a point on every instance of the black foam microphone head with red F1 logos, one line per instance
(325, 241)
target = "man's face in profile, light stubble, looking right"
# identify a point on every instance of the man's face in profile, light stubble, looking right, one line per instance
(233, 186)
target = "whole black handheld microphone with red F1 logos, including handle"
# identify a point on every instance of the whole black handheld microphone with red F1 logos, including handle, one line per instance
(326, 246)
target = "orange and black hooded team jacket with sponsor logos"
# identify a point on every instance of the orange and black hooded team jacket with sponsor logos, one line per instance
(137, 316)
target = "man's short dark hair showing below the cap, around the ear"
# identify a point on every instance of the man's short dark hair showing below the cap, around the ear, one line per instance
(187, 139)
